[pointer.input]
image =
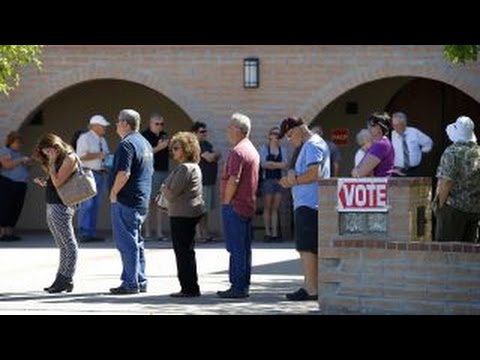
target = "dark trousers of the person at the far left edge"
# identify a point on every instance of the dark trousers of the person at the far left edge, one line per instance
(12, 195)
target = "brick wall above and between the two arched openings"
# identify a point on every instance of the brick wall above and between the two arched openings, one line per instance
(206, 81)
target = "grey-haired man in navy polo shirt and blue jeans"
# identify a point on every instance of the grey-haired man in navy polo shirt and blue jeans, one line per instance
(130, 194)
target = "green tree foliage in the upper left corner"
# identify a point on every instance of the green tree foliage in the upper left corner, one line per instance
(12, 59)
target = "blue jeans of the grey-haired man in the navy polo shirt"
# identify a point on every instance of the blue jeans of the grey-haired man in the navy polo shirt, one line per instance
(126, 226)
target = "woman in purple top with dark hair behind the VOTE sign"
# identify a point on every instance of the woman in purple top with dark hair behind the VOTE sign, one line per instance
(380, 157)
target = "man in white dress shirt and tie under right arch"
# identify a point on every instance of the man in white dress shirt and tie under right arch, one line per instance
(409, 144)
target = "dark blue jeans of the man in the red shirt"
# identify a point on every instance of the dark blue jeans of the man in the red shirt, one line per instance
(238, 241)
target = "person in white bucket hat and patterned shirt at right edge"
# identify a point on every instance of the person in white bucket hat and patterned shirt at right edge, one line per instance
(457, 200)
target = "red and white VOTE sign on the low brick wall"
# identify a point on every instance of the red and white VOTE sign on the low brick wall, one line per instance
(362, 195)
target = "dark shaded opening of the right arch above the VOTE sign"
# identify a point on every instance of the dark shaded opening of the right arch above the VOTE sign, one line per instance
(429, 104)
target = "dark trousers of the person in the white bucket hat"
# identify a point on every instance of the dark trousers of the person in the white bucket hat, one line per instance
(456, 225)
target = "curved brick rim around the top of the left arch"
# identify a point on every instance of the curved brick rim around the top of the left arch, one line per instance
(158, 82)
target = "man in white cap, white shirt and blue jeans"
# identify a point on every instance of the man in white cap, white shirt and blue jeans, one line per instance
(92, 150)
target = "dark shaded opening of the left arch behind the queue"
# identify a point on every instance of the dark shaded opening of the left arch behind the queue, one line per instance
(70, 109)
